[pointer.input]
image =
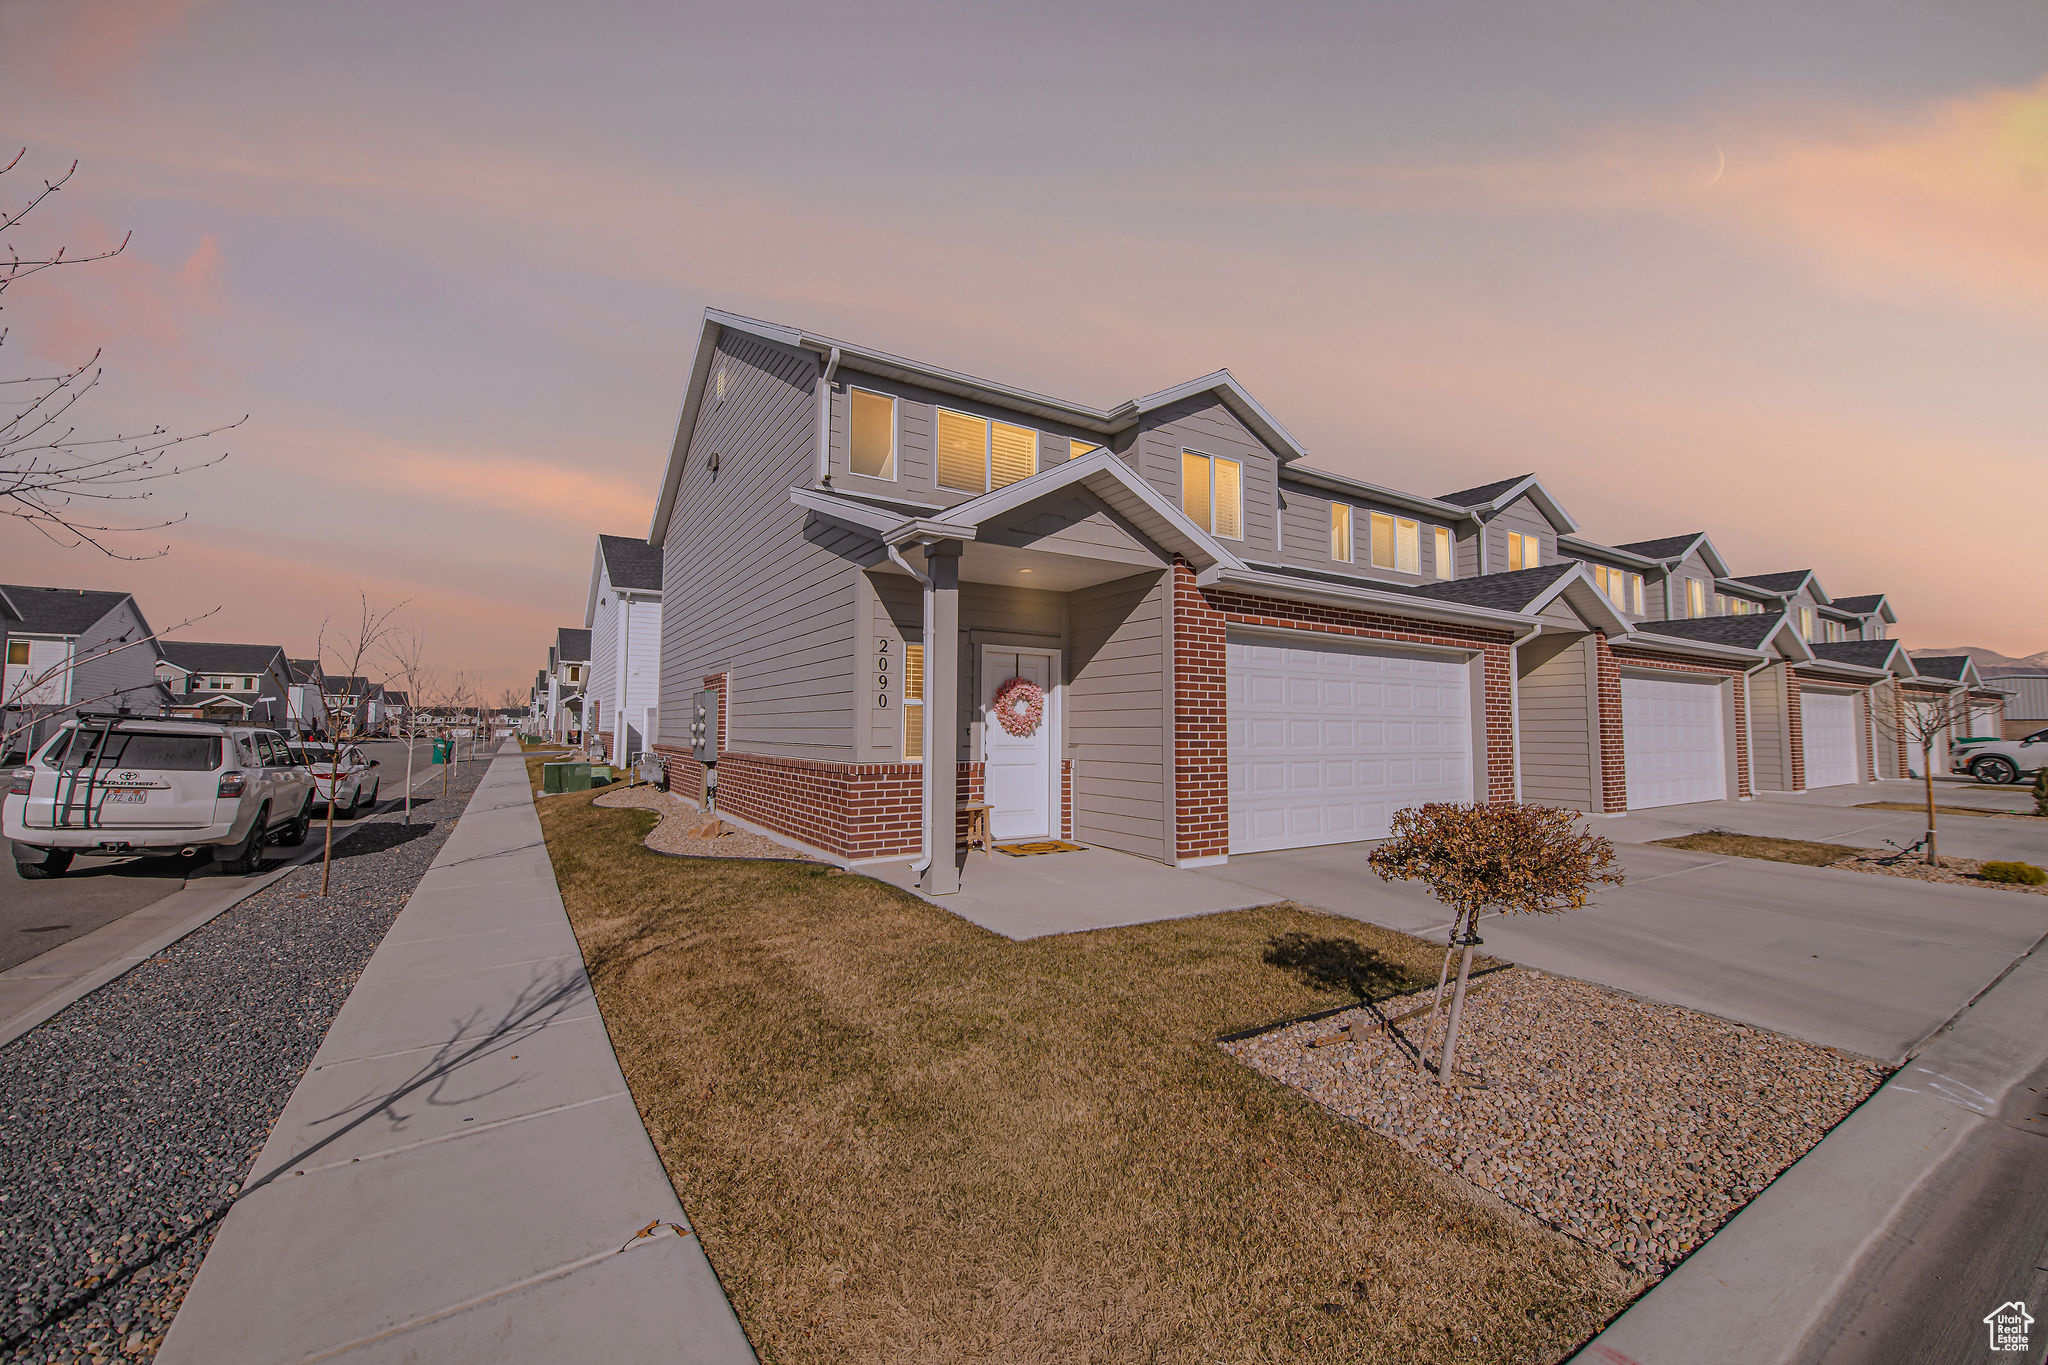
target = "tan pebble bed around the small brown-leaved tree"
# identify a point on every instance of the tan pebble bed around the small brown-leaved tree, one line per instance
(1633, 1127)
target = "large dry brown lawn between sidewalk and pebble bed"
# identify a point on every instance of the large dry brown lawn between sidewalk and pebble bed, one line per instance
(904, 1139)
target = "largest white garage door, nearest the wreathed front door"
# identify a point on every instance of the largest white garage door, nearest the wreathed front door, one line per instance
(1330, 740)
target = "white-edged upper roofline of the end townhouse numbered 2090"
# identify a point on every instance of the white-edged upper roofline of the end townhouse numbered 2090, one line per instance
(833, 351)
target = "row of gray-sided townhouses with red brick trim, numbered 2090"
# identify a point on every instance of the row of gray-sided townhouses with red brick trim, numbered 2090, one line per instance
(896, 592)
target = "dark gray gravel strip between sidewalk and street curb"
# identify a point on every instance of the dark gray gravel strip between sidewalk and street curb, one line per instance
(132, 1118)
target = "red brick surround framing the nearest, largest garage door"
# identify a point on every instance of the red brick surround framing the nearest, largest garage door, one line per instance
(1201, 701)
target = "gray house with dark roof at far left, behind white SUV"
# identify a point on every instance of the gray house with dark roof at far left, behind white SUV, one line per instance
(71, 650)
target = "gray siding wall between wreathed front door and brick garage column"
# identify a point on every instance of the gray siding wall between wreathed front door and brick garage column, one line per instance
(1117, 721)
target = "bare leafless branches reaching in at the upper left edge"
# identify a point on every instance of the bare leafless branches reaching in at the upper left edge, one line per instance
(54, 478)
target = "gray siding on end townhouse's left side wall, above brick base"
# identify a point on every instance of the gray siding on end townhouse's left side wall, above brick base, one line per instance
(753, 586)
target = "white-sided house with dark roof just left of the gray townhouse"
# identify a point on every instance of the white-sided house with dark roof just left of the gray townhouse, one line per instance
(624, 615)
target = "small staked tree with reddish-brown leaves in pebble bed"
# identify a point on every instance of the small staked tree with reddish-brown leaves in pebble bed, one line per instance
(1512, 858)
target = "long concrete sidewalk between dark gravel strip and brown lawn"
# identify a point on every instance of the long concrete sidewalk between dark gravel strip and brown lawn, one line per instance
(462, 1176)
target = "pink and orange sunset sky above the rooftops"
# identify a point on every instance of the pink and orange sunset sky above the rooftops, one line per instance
(1770, 271)
